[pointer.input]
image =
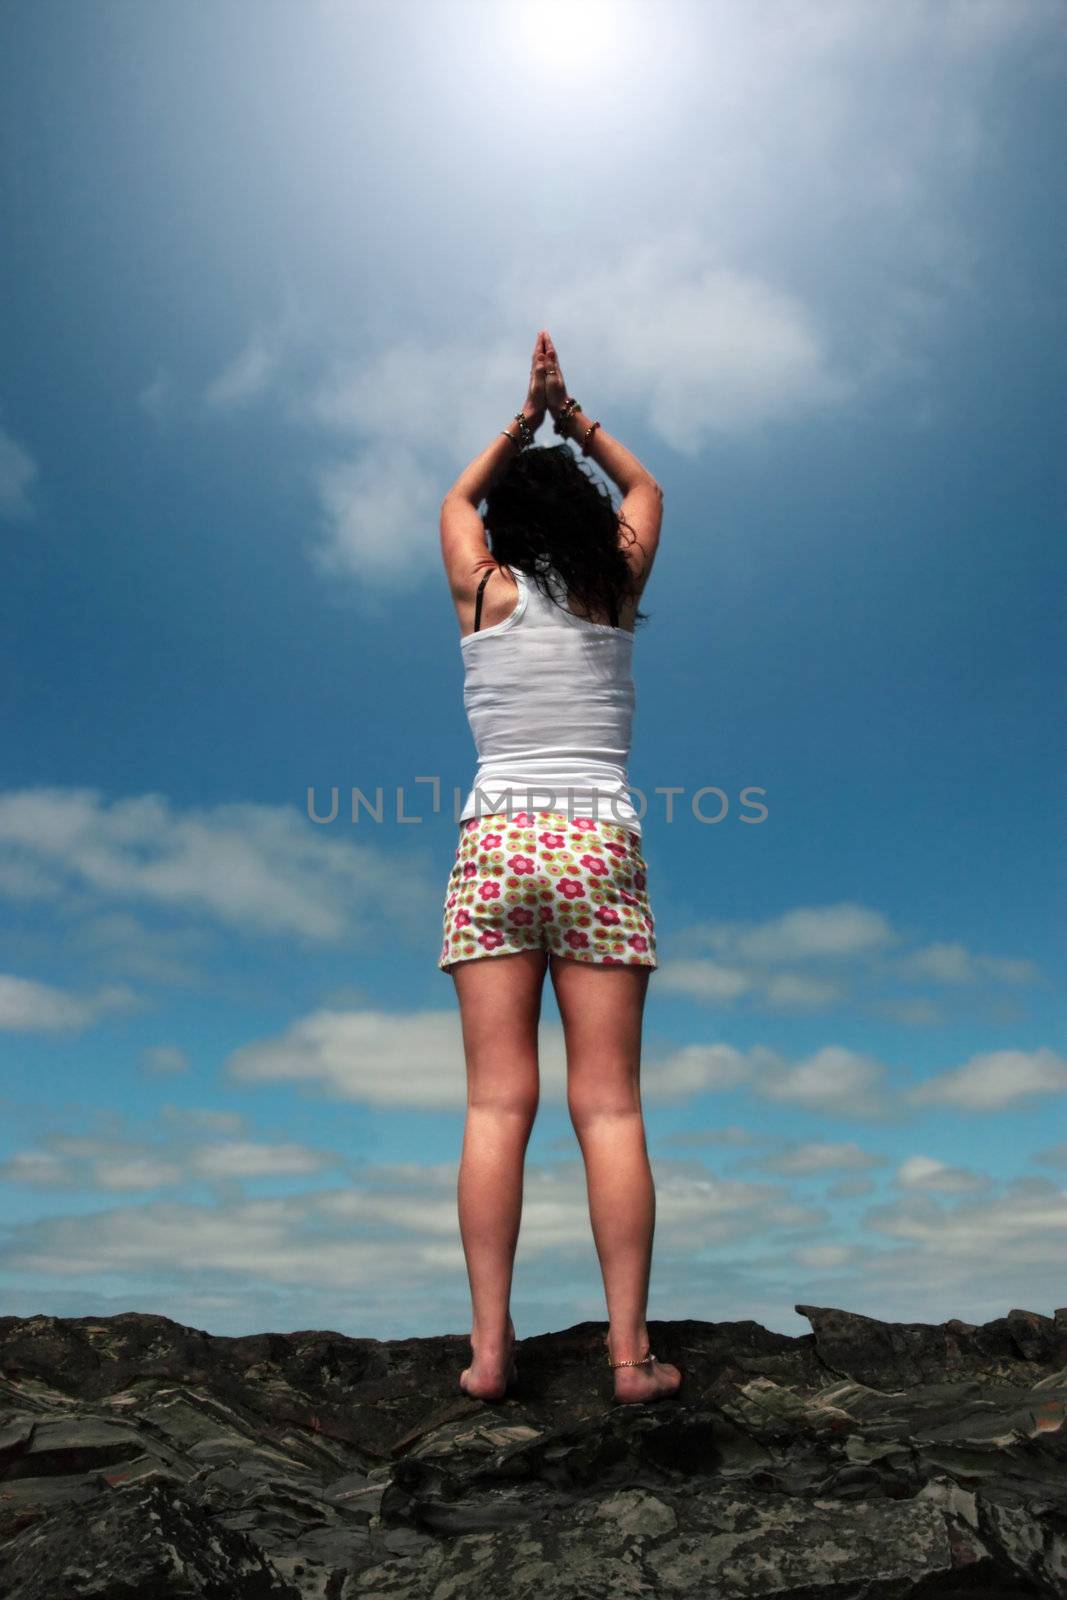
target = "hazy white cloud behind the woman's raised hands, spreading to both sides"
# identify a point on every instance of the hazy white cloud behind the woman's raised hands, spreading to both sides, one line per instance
(705, 348)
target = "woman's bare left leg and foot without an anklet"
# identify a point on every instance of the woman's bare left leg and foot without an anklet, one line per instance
(500, 1001)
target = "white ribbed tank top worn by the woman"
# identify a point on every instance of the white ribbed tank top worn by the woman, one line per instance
(551, 700)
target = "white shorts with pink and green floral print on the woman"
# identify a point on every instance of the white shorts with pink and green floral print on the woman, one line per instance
(540, 881)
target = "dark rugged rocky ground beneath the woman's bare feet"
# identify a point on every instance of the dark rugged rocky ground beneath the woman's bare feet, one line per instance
(861, 1462)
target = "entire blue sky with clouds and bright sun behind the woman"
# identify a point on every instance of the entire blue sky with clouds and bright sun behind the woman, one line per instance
(271, 278)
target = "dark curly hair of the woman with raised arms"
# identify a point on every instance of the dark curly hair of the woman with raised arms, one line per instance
(548, 513)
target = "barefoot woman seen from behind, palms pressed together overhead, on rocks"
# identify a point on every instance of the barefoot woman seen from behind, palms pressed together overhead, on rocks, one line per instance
(546, 634)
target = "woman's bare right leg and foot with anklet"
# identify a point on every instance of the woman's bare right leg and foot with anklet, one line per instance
(602, 1010)
